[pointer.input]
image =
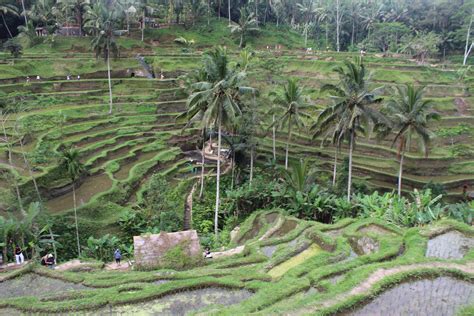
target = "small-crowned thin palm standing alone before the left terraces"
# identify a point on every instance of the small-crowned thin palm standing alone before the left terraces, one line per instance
(74, 169)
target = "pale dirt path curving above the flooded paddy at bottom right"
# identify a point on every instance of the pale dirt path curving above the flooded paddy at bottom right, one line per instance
(364, 287)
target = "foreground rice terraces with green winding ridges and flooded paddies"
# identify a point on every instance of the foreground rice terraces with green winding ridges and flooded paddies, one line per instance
(280, 265)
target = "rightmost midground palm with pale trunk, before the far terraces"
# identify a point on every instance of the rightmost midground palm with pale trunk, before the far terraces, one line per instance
(409, 114)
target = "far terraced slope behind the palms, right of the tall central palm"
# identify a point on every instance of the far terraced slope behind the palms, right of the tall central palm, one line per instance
(450, 159)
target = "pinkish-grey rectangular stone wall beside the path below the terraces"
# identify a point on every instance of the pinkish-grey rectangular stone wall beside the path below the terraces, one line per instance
(149, 249)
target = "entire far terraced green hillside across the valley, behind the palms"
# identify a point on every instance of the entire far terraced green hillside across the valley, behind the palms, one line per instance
(141, 136)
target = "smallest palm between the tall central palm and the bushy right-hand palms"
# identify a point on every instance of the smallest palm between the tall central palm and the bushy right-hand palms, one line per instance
(292, 100)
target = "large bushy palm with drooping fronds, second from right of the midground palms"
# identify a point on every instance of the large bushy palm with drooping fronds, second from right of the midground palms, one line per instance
(351, 112)
